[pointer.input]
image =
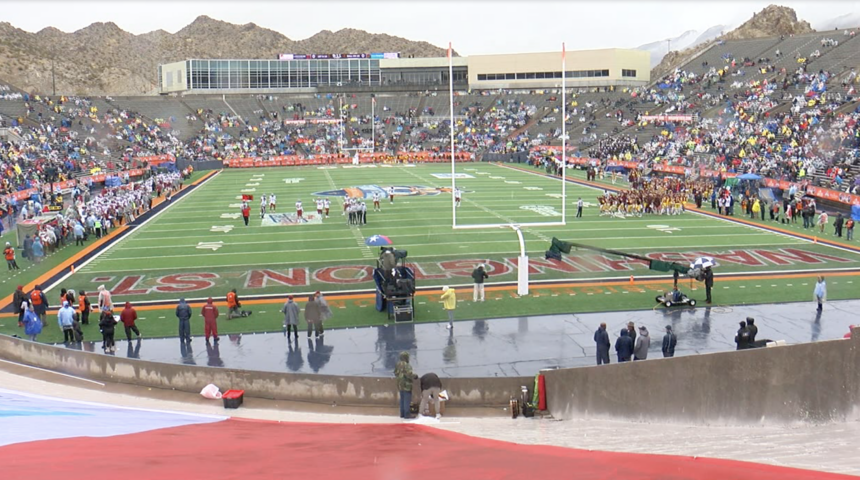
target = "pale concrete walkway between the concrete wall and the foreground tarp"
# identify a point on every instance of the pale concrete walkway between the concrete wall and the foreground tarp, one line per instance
(830, 448)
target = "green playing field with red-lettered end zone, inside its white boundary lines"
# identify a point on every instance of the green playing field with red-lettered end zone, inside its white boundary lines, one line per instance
(200, 247)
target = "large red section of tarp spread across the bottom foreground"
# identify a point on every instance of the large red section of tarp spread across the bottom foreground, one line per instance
(242, 449)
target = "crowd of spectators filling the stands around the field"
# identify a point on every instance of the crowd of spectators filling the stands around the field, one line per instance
(786, 123)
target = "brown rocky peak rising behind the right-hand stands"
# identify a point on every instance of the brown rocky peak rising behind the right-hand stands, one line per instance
(774, 20)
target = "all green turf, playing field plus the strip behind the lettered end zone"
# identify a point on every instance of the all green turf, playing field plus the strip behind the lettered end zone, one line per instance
(199, 247)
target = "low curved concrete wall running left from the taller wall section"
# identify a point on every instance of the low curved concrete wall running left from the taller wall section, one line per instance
(324, 389)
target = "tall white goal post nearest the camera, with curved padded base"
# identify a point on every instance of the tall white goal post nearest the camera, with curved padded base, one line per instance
(523, 260)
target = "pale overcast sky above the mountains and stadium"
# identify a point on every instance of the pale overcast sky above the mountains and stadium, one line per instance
(474, 27)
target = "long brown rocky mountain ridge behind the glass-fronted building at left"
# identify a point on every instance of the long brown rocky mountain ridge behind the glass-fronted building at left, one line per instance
(103, 59)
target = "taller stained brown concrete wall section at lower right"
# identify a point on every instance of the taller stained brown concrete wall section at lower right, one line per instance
(813, 382)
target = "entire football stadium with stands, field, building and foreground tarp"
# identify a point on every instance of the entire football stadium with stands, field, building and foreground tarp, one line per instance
(523, 254)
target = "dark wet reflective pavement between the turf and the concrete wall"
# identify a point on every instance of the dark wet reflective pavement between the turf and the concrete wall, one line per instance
(518, 346)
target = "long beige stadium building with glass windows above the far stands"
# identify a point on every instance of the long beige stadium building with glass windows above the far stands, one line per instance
(310, 73)
